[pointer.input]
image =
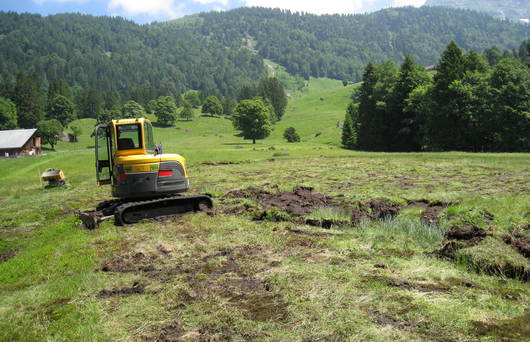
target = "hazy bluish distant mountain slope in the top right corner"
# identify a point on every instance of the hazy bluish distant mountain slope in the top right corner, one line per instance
(512, 9)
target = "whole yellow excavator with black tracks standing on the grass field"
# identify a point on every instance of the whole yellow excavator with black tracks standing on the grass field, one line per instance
(146, 182)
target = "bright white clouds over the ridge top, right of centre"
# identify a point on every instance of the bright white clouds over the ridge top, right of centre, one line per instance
(328, 6)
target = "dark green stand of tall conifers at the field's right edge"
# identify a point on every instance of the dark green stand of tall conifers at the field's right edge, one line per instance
(472, 102)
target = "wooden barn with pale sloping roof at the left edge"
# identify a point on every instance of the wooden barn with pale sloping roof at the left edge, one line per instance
(19, 142)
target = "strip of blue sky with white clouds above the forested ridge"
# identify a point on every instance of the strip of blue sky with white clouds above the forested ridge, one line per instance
(143, 11)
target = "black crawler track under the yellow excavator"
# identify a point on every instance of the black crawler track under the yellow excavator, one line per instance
(132, 212)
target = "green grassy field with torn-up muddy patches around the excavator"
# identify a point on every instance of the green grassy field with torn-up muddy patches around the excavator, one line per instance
(249, 271)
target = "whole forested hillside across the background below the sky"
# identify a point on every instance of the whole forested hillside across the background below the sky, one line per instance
(217, 52)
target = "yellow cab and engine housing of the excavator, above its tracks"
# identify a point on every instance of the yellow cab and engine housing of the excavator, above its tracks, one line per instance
(127, 158)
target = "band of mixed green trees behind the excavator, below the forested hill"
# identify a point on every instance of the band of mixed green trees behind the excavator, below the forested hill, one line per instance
(25, 104)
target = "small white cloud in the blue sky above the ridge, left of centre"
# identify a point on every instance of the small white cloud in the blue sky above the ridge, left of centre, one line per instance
(166, 8)
